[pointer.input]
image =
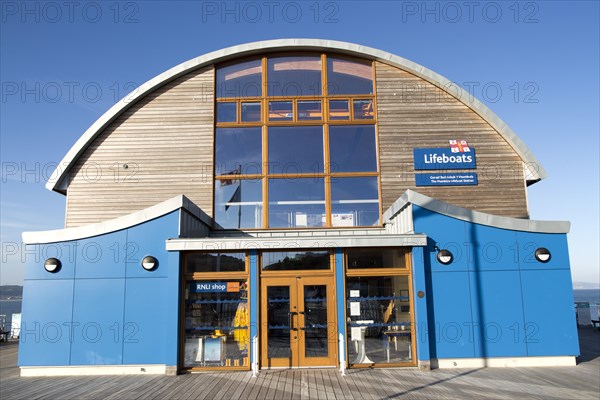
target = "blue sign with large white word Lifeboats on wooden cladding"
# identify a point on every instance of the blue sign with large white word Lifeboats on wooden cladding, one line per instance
(443, 159)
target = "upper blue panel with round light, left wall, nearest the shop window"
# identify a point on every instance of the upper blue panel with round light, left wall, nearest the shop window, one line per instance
(148, 239)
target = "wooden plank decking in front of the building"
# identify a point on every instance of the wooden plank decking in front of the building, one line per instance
(580, 382)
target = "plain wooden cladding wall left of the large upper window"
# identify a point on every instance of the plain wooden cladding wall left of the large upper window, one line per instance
(166, 141)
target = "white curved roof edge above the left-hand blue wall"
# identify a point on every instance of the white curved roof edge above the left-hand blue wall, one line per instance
(117, 224)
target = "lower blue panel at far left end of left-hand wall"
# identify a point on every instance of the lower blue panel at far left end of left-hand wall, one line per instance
(46, 321)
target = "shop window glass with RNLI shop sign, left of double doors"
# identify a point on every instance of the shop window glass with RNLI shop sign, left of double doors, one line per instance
(216, 323)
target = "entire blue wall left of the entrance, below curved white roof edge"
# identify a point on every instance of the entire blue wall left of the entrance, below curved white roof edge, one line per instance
(112, 319)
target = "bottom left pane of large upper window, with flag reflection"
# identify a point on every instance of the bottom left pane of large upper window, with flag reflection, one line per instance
(238, 203)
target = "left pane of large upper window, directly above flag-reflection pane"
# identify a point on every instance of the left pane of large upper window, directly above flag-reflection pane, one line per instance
(238, 151)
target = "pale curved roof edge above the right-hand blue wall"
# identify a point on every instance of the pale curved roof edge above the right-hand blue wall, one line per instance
(516, 224)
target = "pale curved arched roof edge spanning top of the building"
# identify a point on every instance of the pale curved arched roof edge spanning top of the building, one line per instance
(59, 183)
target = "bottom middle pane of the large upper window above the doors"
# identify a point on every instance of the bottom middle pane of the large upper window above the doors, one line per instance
(296, 203)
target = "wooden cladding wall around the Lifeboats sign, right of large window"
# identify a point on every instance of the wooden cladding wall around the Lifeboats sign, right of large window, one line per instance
(413, 113)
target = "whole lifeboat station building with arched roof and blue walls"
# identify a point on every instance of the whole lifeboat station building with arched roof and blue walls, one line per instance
(296, 203)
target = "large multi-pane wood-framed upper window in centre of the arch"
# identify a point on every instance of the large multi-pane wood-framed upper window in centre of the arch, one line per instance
(292, 153)
